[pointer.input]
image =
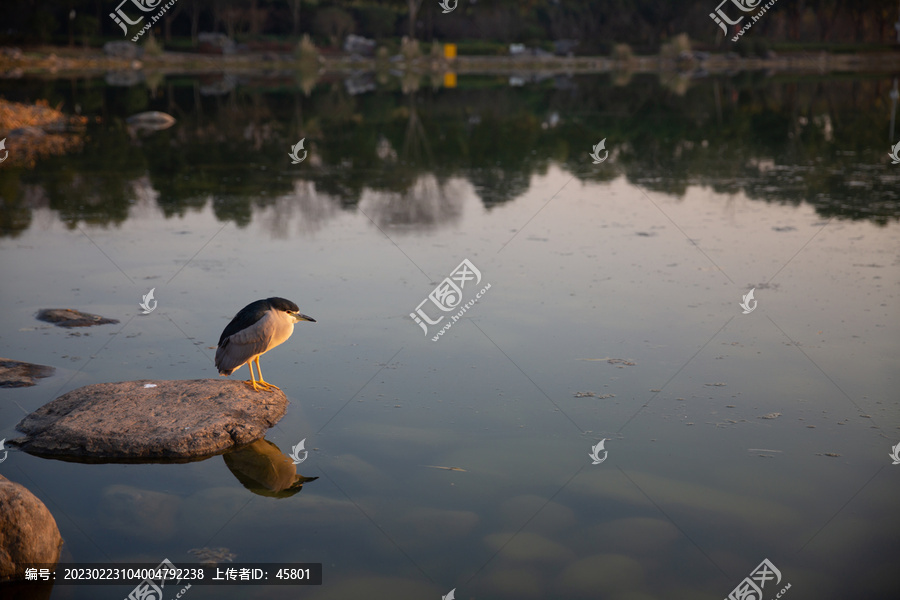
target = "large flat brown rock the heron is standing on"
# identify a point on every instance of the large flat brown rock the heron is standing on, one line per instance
(172, 421)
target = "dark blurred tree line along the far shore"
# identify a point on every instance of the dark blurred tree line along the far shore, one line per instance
(644, 24)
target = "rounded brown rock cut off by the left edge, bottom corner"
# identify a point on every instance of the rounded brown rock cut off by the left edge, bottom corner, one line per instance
(28, 532)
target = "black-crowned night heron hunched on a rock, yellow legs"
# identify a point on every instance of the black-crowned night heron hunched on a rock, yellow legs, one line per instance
(259, 327)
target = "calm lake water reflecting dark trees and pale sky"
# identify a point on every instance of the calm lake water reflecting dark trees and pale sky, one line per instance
(613, 313)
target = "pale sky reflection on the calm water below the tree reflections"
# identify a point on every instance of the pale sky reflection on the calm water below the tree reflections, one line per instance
(607, 269)
